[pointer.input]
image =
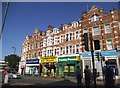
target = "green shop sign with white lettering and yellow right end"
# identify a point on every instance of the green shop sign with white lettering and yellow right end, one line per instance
(68, 59)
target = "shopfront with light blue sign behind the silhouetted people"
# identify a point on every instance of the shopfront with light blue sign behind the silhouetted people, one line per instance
(111, 56)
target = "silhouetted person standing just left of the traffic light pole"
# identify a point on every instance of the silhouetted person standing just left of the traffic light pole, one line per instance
(87, 76)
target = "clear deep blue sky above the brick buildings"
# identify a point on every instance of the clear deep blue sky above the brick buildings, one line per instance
(24, 17)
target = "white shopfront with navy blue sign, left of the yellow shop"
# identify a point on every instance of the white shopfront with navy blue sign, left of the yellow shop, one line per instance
(32, 67)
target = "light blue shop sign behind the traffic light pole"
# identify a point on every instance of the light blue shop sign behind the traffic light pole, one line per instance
(103, 53)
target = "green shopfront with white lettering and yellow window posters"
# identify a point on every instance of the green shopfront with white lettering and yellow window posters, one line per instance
(67, 65)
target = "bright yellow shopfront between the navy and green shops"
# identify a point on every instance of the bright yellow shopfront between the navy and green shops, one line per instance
(48, 66)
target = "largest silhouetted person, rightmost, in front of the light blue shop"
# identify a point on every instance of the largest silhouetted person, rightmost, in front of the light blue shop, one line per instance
(108, 75)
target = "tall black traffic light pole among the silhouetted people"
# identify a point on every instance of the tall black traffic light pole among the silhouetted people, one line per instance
(92, 54)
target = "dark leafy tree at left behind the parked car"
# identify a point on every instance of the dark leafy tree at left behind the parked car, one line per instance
(12, 60)
